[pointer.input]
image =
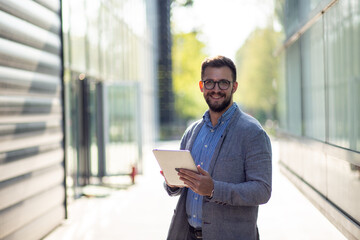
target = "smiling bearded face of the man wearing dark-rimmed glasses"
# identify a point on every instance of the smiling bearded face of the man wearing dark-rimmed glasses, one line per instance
(218, 100)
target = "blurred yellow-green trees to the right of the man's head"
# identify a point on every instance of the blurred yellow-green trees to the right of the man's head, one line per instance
(257, 73)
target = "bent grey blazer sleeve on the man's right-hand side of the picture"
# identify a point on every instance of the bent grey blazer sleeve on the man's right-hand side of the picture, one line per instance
(256, 189)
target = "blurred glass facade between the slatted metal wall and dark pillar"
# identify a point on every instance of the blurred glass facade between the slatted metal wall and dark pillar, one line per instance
(110, 74)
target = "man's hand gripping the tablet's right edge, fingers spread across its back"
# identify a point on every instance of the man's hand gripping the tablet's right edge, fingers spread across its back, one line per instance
(201, 183)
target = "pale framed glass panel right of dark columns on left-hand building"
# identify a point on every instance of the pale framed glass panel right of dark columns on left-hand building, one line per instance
(123, 137)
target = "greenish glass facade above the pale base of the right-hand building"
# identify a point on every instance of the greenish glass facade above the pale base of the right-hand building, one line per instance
(323, 76)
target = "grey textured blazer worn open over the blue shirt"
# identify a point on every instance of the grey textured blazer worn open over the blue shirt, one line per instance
(241, 170)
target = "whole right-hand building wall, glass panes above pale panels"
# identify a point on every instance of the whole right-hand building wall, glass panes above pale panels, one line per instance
(319, 109)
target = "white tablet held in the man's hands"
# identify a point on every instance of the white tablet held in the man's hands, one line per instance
(171, 160)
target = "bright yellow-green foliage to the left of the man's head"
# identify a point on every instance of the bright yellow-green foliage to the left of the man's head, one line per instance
(187, 56)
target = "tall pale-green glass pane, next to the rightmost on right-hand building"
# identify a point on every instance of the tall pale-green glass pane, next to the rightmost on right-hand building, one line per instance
(338, 66)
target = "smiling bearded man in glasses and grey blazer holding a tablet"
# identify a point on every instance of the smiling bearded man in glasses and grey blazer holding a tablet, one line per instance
(233, 156)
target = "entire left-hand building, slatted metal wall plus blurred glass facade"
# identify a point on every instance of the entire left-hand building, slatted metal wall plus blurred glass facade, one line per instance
(86, 70)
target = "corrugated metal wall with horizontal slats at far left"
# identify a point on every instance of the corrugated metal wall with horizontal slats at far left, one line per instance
(32, 189)
